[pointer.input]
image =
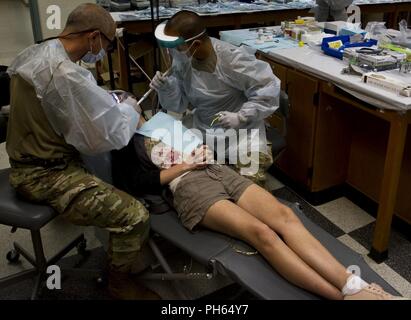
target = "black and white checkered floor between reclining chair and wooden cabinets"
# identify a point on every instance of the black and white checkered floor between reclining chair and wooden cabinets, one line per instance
(354, 227)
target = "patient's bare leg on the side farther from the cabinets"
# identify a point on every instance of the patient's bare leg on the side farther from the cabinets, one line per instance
(227, 217)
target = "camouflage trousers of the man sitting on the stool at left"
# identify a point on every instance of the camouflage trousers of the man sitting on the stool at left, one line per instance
(85, 200)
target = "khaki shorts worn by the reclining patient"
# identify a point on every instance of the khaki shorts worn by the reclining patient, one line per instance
(199, 190)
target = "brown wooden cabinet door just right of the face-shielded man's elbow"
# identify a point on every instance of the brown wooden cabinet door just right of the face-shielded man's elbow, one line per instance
(297, 160)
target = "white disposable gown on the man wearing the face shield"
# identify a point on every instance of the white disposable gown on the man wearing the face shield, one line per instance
(240, 83)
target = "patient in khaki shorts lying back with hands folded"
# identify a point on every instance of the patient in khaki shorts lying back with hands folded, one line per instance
(214, 196)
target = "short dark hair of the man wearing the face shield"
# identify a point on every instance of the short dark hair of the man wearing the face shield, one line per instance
(186, 24)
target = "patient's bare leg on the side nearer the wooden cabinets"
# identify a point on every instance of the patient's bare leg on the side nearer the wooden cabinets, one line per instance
(262, 205)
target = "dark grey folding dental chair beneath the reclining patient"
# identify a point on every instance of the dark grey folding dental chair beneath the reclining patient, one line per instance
(227, 256)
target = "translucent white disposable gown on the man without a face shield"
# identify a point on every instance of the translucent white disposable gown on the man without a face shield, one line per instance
(86, 115)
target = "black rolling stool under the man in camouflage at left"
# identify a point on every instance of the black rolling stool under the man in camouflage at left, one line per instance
(18, 213)
